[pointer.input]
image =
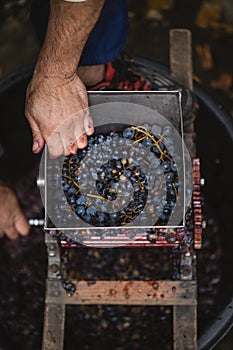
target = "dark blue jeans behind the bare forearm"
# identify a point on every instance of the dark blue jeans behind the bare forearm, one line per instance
(106, 40)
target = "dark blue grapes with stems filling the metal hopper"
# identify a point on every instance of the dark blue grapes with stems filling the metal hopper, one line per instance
(118, 172)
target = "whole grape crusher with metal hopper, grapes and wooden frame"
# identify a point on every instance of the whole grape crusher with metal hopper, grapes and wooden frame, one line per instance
(136, 184)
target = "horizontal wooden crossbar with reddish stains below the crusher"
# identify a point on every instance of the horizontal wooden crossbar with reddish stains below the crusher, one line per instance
(124, 293)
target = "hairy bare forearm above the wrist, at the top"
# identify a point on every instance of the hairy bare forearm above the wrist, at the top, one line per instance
(68, 29)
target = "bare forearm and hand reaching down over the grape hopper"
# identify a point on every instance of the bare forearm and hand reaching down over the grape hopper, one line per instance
(56, 100)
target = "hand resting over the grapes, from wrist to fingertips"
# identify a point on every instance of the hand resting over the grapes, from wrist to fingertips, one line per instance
(57, 110)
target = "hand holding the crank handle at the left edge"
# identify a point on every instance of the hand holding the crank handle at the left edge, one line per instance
(12, 221)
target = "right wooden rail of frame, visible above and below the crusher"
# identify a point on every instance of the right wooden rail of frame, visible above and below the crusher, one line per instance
(181, 70)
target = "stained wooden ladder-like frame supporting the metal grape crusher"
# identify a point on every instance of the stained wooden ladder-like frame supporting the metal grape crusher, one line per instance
(180, 294)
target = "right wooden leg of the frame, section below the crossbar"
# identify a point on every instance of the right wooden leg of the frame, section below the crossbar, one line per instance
(185, 327)
